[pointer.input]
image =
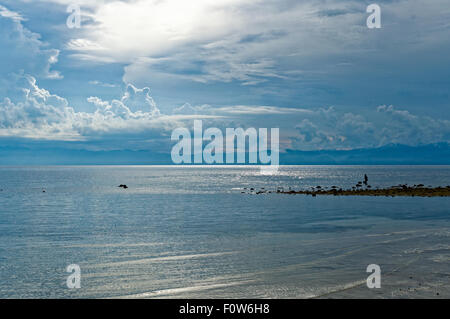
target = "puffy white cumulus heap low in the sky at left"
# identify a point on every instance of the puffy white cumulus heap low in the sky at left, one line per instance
(38, 114)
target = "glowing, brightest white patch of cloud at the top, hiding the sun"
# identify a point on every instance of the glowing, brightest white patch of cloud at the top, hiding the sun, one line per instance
(125, 31)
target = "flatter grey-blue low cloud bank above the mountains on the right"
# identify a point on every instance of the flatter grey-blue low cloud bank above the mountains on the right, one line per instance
(329, 127)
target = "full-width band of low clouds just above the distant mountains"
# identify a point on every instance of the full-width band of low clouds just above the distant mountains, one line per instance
(39, 114)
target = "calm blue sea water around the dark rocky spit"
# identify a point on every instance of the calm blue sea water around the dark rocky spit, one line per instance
(189, 232)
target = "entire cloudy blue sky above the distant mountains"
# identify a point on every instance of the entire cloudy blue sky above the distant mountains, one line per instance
(136, 70)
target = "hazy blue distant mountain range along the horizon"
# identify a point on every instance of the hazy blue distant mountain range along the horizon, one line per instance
(393, 154)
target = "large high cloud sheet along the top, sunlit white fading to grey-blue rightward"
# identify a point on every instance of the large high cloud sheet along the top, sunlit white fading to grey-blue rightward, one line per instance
(250, 41)
